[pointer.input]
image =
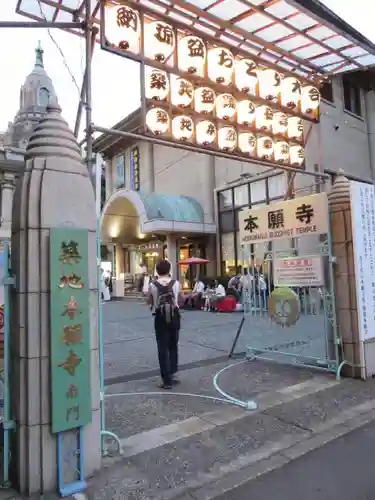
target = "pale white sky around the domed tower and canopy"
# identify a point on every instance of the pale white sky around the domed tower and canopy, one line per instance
(115, 81)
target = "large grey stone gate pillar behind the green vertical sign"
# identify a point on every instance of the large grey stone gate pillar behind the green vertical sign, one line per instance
(55, 191)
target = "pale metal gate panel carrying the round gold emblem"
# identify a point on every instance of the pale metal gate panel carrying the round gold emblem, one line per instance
(289, 300)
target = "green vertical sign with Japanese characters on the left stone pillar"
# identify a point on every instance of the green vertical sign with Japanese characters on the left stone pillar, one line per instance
(70, 329)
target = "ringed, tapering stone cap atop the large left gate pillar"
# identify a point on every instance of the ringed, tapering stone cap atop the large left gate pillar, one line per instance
(53, 137)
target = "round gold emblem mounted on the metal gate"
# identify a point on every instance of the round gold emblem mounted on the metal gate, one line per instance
(284, 307)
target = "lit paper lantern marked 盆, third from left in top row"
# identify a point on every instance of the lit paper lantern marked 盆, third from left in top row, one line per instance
(192, 55)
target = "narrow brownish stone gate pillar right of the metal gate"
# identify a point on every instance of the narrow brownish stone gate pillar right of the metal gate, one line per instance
(345, 283)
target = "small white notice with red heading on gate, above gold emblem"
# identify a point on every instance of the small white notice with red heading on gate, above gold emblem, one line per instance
(296, 272)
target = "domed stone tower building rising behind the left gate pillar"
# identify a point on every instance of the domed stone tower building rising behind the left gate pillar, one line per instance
(35, 95)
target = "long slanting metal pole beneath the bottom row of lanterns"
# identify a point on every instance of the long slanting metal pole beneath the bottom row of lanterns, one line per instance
(197, 149)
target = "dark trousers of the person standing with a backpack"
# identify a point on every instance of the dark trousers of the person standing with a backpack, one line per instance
(167, 342)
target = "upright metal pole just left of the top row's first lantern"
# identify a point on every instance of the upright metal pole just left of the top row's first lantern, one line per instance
(88, 29)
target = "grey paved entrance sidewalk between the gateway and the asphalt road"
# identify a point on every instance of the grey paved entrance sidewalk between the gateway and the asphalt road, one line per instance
(183, 447)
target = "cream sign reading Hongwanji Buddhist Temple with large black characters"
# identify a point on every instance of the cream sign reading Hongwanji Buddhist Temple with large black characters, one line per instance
(295, 218)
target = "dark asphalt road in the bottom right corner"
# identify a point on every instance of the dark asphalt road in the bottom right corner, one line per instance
(343, 469)
